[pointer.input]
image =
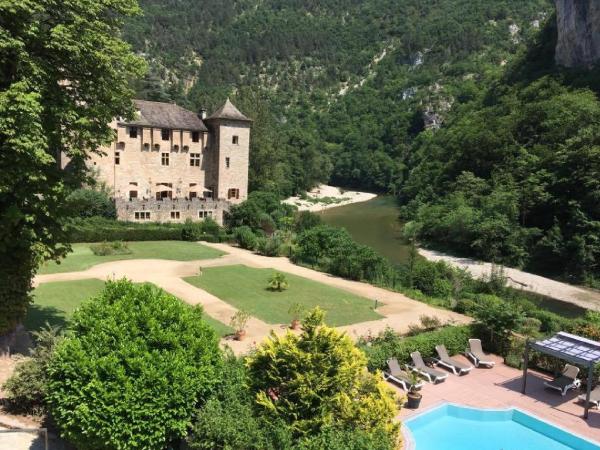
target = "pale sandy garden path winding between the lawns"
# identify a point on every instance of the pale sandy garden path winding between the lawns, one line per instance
(398, 310)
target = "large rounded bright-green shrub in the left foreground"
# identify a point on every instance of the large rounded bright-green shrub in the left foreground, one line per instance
(132, 368)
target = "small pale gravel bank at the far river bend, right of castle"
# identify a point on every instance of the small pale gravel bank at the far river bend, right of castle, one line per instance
(325, 197)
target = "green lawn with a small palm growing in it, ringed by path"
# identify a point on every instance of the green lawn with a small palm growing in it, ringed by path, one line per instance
(246, 288)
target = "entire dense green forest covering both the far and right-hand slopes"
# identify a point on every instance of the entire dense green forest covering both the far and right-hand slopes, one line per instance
(455, 106)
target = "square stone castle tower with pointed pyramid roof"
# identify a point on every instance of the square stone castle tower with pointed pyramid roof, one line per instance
(230, 153)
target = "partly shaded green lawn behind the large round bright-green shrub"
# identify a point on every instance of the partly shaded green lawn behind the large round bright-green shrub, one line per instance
(55, 302)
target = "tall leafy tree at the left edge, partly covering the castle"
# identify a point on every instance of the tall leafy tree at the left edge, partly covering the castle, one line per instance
(64, 73)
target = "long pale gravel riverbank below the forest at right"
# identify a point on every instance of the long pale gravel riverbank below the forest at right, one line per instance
(585, 298)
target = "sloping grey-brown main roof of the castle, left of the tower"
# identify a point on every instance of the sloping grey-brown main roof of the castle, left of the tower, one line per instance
(166, 115)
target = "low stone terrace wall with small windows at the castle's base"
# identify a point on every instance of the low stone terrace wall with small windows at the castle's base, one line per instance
(167, 210)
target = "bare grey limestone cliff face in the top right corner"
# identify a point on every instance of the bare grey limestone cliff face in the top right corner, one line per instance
(578, 32)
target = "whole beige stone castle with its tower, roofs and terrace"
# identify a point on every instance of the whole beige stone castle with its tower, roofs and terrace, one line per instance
(170, 164)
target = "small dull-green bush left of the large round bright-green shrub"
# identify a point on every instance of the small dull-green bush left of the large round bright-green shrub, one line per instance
(26, 388)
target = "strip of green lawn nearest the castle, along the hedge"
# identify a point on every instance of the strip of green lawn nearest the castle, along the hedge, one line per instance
(82, 257)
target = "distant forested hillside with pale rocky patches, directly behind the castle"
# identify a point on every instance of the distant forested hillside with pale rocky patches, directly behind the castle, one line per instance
(338, 88)
